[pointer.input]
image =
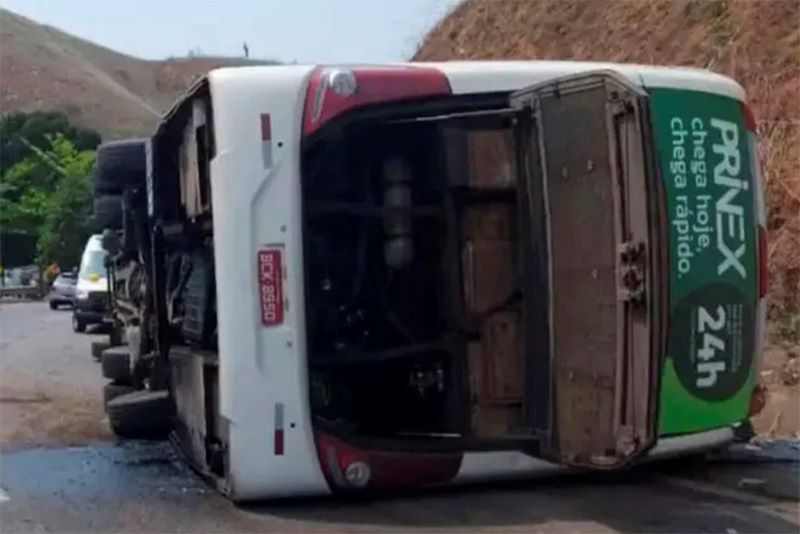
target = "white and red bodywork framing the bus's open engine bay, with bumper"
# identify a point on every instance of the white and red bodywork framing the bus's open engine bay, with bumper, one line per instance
(260, 119)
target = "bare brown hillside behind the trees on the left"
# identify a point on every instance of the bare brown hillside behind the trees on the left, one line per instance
(120, 96)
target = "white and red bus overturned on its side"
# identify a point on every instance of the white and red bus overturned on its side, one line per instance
(383, 276)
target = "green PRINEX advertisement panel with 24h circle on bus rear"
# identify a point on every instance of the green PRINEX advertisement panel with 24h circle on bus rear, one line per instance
(703, 155)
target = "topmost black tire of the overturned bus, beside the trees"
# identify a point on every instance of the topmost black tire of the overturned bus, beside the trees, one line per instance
(119, 165)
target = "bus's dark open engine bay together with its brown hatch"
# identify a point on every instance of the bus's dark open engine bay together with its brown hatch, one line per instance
(484, 273)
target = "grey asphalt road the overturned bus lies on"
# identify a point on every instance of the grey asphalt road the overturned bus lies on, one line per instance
(53, 479)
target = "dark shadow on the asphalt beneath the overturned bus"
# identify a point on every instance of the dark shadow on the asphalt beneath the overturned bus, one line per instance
(634, 501)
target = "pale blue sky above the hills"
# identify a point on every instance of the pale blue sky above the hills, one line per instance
(324, 31)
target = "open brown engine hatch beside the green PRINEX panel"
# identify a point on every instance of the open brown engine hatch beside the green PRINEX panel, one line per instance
(591, 258)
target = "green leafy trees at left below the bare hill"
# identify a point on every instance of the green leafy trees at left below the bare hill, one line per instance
(45, 186)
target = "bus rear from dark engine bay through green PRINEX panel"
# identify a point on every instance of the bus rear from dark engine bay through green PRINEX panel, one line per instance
(573, 273)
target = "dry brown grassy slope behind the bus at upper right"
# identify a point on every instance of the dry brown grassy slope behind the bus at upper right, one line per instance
(755, 42)
